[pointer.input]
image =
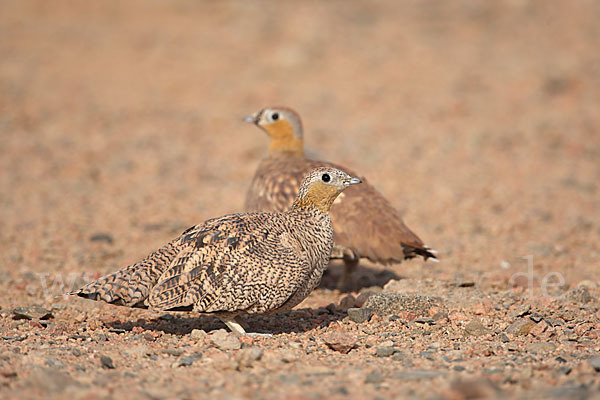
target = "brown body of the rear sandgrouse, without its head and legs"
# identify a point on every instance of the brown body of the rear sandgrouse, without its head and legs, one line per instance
(363, 220)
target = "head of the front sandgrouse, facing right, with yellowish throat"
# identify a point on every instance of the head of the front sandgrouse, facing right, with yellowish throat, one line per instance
(321, 186)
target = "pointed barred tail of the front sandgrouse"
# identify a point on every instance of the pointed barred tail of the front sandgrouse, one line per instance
(131, 286)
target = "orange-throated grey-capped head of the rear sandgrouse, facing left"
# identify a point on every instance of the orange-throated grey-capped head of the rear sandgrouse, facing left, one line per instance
(284, 127)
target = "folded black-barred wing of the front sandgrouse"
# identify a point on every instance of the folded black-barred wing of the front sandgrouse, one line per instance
(235, 263)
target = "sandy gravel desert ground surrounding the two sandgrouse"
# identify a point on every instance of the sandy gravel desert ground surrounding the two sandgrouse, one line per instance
(120, 126)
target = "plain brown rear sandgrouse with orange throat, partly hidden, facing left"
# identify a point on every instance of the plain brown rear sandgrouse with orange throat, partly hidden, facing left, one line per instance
(365, 223)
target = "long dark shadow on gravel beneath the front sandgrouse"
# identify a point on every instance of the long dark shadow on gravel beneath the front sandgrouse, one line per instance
(295, 321)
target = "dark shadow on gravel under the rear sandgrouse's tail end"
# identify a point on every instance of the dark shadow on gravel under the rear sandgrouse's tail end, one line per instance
(361, 277)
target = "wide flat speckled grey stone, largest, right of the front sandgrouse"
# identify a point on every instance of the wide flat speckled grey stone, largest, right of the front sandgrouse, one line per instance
(396, 304)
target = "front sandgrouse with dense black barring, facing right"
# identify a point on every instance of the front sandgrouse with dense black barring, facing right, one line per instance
(255, 263)
